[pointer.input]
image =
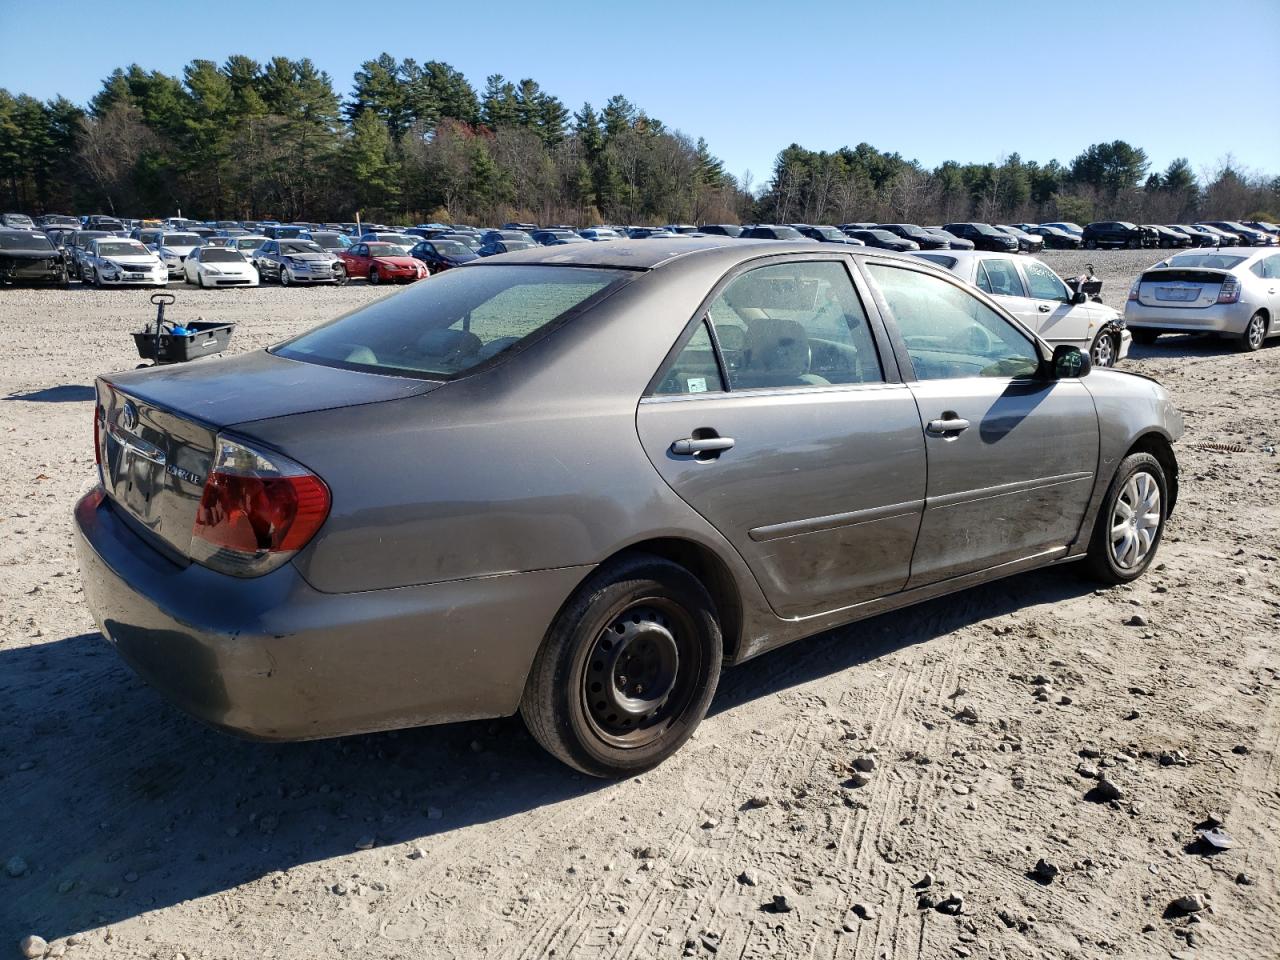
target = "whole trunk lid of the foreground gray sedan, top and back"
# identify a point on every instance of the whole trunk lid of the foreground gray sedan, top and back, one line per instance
(158, 429)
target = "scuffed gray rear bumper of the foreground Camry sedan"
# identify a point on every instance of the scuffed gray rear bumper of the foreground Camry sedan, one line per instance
(272, 659)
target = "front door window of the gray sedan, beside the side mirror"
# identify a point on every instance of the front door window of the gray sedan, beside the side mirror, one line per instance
(949, 333)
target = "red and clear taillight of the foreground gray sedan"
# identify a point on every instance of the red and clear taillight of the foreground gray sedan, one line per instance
(258, 510)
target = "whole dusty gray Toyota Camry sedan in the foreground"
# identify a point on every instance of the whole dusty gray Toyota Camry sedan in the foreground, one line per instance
(578, 482)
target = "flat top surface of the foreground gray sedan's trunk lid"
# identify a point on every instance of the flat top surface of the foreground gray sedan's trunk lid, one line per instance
(260, 386)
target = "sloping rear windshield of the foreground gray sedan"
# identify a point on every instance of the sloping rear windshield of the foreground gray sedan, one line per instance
(463, 318)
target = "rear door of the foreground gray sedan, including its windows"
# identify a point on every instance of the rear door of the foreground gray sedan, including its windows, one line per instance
(781, 424)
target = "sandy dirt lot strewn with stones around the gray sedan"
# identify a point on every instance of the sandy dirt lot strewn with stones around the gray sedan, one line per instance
(138, 833)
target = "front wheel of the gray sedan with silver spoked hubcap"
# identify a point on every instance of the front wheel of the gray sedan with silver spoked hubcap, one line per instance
(1122, 557)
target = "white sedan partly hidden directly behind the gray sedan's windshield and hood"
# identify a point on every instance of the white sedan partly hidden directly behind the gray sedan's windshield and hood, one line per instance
(1037, 296)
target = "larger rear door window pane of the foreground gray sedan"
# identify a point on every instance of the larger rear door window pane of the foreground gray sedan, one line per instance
(794, 324)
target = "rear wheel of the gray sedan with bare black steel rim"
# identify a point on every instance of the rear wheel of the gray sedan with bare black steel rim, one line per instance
(668, 621)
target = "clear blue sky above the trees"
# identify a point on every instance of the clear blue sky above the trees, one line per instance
(935, 81)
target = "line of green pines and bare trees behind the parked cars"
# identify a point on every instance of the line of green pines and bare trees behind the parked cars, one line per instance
(417, 143)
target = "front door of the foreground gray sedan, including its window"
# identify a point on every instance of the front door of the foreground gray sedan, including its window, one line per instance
(1012, 458)
